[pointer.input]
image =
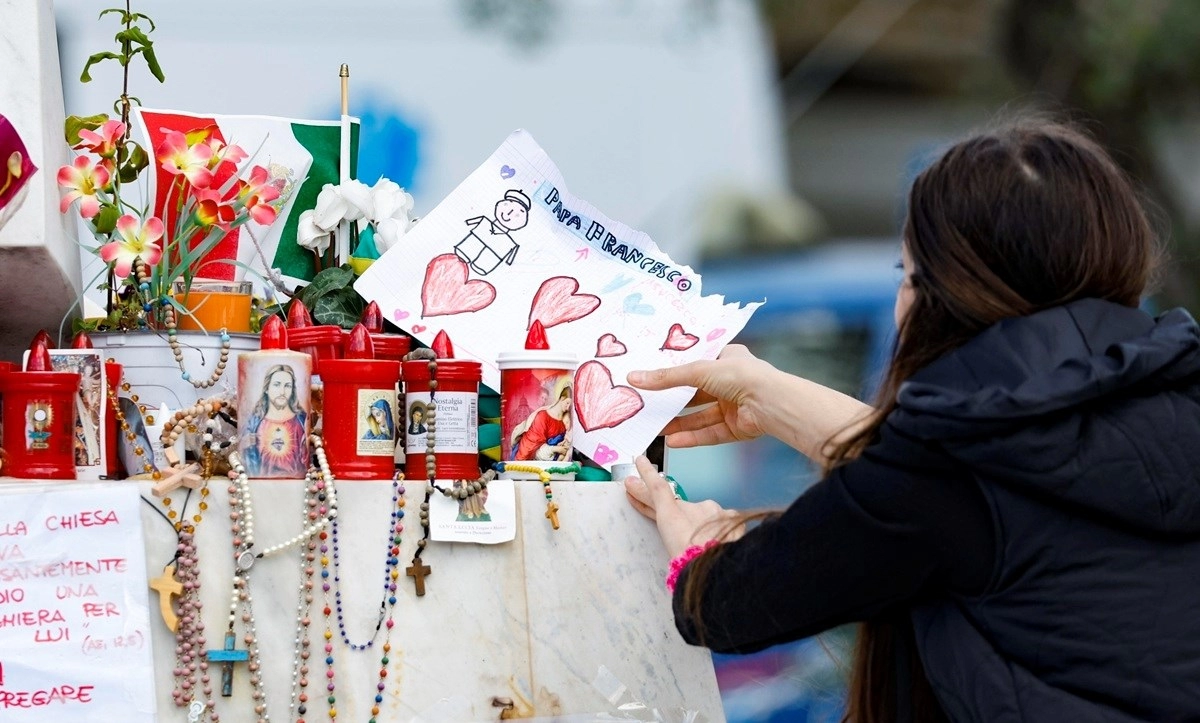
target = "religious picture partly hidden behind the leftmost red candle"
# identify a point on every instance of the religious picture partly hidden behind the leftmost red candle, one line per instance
(91, 407)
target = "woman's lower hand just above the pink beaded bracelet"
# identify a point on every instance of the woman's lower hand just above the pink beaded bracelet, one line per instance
(681, 524)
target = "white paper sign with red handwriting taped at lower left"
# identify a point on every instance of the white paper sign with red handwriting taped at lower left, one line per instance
(75, 626)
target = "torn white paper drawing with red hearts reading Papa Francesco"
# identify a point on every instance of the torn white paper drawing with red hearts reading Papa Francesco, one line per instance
(512, 246)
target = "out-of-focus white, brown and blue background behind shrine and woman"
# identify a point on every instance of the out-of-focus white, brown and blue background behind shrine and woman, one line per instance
(770, 144)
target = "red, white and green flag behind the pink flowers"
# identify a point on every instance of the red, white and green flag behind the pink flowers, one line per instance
(305, 153)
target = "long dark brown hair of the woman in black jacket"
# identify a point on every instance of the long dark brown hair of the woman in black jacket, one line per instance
(1005, 224)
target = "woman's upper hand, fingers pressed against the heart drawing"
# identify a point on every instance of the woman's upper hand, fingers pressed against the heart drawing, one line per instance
(735, 381)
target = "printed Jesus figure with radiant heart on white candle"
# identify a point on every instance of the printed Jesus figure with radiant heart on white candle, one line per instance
(275, 441)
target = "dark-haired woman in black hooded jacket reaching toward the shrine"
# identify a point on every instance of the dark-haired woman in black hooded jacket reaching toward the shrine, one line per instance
(1018, 523)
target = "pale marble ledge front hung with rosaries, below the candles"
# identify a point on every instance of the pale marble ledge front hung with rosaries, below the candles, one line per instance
(562, 624)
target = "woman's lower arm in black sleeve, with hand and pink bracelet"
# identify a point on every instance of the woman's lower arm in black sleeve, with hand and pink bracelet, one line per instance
(880, 531)
